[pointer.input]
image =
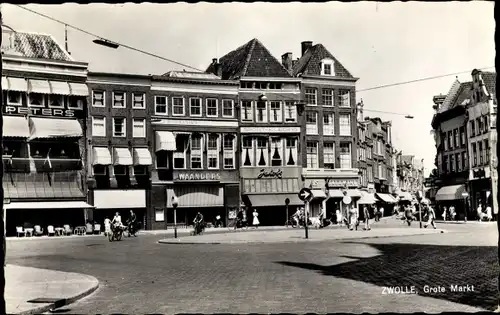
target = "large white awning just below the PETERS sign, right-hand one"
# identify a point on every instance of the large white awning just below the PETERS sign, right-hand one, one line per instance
(55, 128)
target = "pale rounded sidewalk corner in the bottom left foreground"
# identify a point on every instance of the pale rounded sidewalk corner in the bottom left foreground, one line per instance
(53, 289)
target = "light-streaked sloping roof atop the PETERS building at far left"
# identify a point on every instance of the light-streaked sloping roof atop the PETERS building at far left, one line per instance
(33, 45)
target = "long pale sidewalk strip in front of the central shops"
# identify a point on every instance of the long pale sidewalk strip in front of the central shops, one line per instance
(297, 236)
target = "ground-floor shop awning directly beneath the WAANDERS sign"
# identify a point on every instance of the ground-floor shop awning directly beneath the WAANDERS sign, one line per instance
(196, 196)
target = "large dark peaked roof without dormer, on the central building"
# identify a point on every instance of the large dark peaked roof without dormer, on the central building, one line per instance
(252, 60)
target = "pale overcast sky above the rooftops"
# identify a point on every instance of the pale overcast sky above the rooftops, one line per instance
(380, 43)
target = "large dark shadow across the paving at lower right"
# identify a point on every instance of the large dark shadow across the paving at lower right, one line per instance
(424, 265)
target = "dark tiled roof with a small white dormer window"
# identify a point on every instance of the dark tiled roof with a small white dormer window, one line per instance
(309, 63)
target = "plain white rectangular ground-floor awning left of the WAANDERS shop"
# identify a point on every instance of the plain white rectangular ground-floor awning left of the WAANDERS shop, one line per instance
(120, 199)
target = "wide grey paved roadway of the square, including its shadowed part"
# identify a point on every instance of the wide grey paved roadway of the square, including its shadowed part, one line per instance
(137, 275)
